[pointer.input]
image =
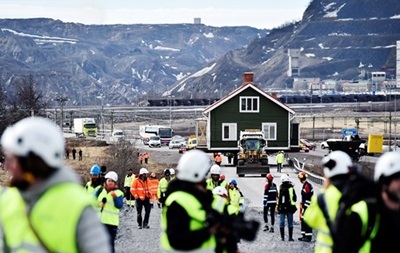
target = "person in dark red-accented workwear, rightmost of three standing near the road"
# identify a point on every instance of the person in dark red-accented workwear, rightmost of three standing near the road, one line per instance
(306, 193)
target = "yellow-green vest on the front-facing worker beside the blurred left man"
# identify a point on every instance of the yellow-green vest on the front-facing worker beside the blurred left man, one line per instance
(110, 214)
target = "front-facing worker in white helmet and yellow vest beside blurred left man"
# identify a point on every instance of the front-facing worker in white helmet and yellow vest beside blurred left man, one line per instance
(110, 201)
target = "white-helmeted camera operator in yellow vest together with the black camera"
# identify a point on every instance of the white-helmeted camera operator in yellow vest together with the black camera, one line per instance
(191, 219)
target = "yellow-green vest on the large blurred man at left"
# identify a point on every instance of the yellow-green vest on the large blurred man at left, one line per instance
(54, 217)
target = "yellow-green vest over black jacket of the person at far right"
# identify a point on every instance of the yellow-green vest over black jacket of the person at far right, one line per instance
(361, 209)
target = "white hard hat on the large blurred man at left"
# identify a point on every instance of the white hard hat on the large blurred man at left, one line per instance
(37, 135)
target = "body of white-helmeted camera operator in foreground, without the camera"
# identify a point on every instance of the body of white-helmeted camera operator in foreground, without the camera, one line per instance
(188, 203)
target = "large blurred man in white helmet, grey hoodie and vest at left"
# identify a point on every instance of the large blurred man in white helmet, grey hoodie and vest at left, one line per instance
(45, 197)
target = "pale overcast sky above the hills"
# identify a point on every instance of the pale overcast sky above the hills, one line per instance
(255, 13)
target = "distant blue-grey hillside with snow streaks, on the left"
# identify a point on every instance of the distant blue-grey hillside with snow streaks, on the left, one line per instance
(125, 63)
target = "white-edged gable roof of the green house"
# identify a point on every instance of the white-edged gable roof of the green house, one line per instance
(239, 90)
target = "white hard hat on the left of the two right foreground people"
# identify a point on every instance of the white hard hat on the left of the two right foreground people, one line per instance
(336, 163)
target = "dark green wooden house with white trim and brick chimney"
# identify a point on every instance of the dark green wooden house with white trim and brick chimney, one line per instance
(247, 107)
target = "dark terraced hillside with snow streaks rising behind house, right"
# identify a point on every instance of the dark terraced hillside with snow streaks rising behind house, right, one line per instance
(336, 38)
